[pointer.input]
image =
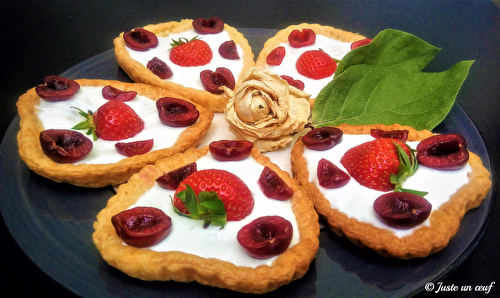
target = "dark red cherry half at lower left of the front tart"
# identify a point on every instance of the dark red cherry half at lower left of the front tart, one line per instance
(142, 226)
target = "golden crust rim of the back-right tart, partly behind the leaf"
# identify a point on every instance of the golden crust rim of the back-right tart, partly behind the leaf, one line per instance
(282, 37)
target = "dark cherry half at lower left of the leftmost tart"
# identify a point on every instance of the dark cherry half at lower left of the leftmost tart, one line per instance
(65, 146)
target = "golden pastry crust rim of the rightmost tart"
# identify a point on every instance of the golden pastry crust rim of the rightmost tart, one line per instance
(425, 240)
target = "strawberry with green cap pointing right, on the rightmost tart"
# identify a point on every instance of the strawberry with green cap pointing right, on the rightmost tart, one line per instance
(381, 164)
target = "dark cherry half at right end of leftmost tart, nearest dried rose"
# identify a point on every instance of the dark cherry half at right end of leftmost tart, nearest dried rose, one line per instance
(176, 112)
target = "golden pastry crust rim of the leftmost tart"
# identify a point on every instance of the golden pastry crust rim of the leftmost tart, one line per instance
(98, 175)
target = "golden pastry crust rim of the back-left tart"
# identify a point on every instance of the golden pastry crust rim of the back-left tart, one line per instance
(139, 73)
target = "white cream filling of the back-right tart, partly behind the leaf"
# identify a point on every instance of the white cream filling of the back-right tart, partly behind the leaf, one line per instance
(335, 48)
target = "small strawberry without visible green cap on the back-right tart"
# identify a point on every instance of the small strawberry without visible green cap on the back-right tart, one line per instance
(316, 64)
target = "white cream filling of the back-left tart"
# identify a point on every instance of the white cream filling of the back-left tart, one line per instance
(190, 76)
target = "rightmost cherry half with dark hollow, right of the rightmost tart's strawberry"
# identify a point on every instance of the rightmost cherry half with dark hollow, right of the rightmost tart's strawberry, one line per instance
(443, 152)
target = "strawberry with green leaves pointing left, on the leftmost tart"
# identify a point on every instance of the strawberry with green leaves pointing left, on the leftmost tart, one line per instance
(112, 121)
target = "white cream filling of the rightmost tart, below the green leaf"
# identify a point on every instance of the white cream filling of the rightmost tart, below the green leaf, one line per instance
(356, 201)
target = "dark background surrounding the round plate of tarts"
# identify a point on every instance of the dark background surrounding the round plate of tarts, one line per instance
(40, 38)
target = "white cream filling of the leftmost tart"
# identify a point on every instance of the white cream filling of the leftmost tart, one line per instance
(61, 115)
